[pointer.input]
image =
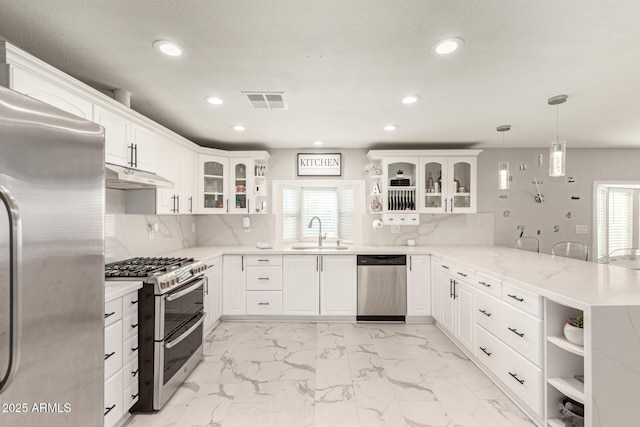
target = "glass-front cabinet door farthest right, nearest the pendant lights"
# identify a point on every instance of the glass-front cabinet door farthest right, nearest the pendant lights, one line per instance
(462, 182)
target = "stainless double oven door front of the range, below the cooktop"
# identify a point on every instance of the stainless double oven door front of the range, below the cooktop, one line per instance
(177, 338)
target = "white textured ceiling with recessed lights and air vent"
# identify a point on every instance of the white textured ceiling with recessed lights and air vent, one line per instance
(345, 65)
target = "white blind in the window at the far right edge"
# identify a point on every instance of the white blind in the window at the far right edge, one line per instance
(620, 219)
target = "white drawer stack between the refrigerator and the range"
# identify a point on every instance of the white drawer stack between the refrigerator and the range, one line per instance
(120, 357)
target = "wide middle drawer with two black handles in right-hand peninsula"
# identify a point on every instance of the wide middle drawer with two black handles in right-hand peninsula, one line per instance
(519, 330)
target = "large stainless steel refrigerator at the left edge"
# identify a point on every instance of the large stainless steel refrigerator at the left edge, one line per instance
(51, 266)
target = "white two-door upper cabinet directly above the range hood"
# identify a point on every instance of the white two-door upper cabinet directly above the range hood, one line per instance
(127, 143)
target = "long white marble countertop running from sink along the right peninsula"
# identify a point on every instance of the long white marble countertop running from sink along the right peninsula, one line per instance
(567, 281)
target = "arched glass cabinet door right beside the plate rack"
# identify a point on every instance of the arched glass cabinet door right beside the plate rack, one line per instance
(432, 194)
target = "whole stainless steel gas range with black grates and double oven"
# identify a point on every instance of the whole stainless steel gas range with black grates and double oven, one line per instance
(170, 317)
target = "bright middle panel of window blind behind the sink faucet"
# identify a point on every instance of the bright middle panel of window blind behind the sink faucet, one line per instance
(323, 203)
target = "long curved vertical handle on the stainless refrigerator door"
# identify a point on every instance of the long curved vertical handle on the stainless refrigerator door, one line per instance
(15, 275)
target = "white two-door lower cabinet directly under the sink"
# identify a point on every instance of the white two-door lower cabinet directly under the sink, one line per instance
(323, 285)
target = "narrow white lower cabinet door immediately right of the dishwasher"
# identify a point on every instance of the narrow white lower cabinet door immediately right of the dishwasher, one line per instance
(418, 285)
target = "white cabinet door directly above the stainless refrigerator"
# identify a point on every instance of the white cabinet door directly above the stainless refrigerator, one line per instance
(51, 93)
